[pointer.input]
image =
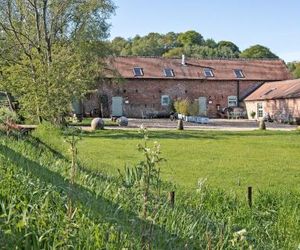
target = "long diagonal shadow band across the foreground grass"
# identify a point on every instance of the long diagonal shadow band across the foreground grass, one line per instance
(98, 207)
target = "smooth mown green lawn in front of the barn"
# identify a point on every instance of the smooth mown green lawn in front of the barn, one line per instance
(230, 160)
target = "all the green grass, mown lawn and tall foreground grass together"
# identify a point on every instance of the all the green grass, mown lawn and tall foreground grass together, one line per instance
(42, 207)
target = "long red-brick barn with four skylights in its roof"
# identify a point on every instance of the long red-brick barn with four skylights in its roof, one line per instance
(149, 84)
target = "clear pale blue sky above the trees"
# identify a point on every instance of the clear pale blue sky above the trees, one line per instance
(273, 23)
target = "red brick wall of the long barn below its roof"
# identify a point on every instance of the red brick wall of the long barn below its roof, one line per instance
(145, 95)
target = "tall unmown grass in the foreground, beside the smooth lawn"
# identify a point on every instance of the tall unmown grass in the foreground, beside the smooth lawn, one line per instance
(34, 184)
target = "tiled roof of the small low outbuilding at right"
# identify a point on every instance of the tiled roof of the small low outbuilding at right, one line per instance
(276, 90)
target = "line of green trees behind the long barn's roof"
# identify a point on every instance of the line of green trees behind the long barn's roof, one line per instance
(191, 43)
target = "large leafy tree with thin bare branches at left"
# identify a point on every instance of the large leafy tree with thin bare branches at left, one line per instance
(51, 51)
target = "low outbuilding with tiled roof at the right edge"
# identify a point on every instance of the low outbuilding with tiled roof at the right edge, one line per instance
(278, 100)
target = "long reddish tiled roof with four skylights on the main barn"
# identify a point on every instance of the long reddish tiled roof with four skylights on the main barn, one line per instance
(223, 69)
